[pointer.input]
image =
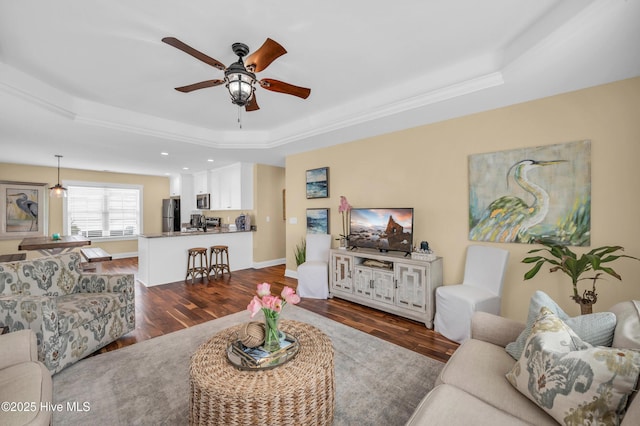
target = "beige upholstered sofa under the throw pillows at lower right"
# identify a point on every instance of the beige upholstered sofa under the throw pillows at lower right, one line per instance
(472, 388)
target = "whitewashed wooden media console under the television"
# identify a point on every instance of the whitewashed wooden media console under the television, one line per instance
(391, 282)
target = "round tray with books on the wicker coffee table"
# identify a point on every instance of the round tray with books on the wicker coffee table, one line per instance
(257, 358)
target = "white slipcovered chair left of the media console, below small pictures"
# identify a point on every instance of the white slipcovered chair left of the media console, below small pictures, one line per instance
(313, 274)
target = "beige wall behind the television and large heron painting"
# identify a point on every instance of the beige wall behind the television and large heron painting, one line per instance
(426, 168)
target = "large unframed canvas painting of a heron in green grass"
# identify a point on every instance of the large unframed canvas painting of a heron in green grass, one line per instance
(529, 194)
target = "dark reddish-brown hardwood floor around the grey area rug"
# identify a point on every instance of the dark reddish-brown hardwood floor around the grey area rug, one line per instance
(171, 307)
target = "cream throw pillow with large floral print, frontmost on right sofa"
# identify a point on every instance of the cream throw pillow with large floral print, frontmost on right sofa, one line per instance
(574, 382)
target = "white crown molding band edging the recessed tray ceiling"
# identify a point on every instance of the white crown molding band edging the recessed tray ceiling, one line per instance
(96, 114)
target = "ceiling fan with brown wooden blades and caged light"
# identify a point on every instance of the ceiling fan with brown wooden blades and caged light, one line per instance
(239, 77)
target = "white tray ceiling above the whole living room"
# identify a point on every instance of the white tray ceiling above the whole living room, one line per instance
(92, 81)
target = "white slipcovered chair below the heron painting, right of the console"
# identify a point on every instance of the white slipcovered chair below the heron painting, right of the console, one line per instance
(481, 290)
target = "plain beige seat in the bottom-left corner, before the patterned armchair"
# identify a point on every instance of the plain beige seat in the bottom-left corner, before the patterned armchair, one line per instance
(25, 383)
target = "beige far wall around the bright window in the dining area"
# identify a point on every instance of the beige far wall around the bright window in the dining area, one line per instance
(154, 190)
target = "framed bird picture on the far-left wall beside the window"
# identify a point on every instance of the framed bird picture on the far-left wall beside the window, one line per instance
(23, 210)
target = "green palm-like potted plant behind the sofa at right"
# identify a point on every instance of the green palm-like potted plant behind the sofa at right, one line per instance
(563, 259)
